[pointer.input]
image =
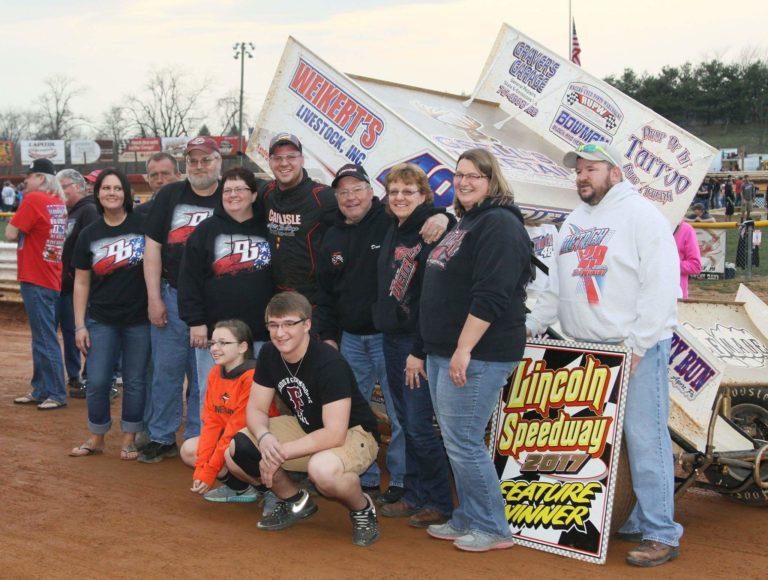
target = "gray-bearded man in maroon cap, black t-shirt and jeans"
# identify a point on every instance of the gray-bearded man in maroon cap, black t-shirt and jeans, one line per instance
(177, 210)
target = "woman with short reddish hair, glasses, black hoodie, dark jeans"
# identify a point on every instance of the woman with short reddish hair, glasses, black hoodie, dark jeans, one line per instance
(428, 498)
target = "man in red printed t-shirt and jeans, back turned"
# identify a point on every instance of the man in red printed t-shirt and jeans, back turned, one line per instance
(40, 227)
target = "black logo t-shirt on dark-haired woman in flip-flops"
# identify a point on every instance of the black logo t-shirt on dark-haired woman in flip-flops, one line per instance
(115, 257)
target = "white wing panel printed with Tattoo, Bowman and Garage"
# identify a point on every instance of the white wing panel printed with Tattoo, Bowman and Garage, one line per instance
(569, 107)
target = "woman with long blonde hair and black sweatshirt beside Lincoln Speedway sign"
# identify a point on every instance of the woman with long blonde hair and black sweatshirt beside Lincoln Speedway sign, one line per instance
(472, 323)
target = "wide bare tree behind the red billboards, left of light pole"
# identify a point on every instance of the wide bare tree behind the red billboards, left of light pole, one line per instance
(170, 107)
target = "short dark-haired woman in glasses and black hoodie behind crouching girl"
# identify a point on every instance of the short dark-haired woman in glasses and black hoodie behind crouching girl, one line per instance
(226, 270)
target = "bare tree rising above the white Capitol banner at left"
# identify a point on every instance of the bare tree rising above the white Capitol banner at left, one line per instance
(57, 117)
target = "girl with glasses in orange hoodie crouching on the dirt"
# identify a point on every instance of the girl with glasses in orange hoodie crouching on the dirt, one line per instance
(223, 415)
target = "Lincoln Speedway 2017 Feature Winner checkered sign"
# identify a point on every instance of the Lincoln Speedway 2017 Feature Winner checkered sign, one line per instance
(557, 445)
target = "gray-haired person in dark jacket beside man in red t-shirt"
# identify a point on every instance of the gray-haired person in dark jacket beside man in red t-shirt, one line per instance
(81, 211)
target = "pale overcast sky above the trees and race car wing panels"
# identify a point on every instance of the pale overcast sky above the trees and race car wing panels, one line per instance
(109, 46)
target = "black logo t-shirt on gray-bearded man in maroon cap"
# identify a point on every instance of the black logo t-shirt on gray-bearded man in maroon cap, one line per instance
(175, 213)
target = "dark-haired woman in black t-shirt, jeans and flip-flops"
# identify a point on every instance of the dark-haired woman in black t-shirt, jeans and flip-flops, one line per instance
(110, 301)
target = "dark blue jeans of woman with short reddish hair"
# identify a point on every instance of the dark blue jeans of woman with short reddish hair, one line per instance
(427, 479)
